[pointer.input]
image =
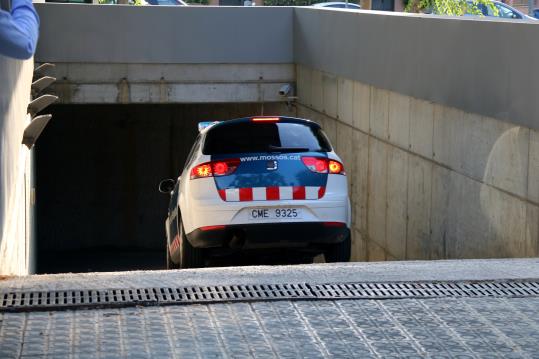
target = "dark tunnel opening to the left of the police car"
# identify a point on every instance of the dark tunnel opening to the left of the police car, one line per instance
(97, 172)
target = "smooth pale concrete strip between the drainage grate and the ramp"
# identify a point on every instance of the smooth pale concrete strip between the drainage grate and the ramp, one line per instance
(400, 271)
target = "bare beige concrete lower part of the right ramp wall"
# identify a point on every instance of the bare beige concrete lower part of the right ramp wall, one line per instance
(427, 181)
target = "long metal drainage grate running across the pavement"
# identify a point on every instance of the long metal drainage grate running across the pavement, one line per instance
(69, 299)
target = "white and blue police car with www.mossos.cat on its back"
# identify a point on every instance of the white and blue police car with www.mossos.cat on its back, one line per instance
(258, 183)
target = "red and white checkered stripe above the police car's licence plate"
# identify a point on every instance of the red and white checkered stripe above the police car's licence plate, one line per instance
(271, 193)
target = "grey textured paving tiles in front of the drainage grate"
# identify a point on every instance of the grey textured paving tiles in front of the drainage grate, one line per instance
(406, 328)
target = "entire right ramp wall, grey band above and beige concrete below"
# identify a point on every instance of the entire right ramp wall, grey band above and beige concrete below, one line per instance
(438, 125)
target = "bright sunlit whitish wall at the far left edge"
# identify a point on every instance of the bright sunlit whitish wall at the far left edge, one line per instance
(15, 169)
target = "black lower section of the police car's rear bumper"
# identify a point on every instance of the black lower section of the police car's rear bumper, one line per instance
(269, 235)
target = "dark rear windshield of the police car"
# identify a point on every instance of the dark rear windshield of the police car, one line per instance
(247, 137)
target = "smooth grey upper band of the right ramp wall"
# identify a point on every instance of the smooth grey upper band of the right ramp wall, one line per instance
(482, 66)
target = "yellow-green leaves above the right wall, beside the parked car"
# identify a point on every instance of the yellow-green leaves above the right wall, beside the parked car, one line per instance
(449, 7)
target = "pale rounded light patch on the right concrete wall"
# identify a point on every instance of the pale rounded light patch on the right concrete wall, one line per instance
(509, 220)
